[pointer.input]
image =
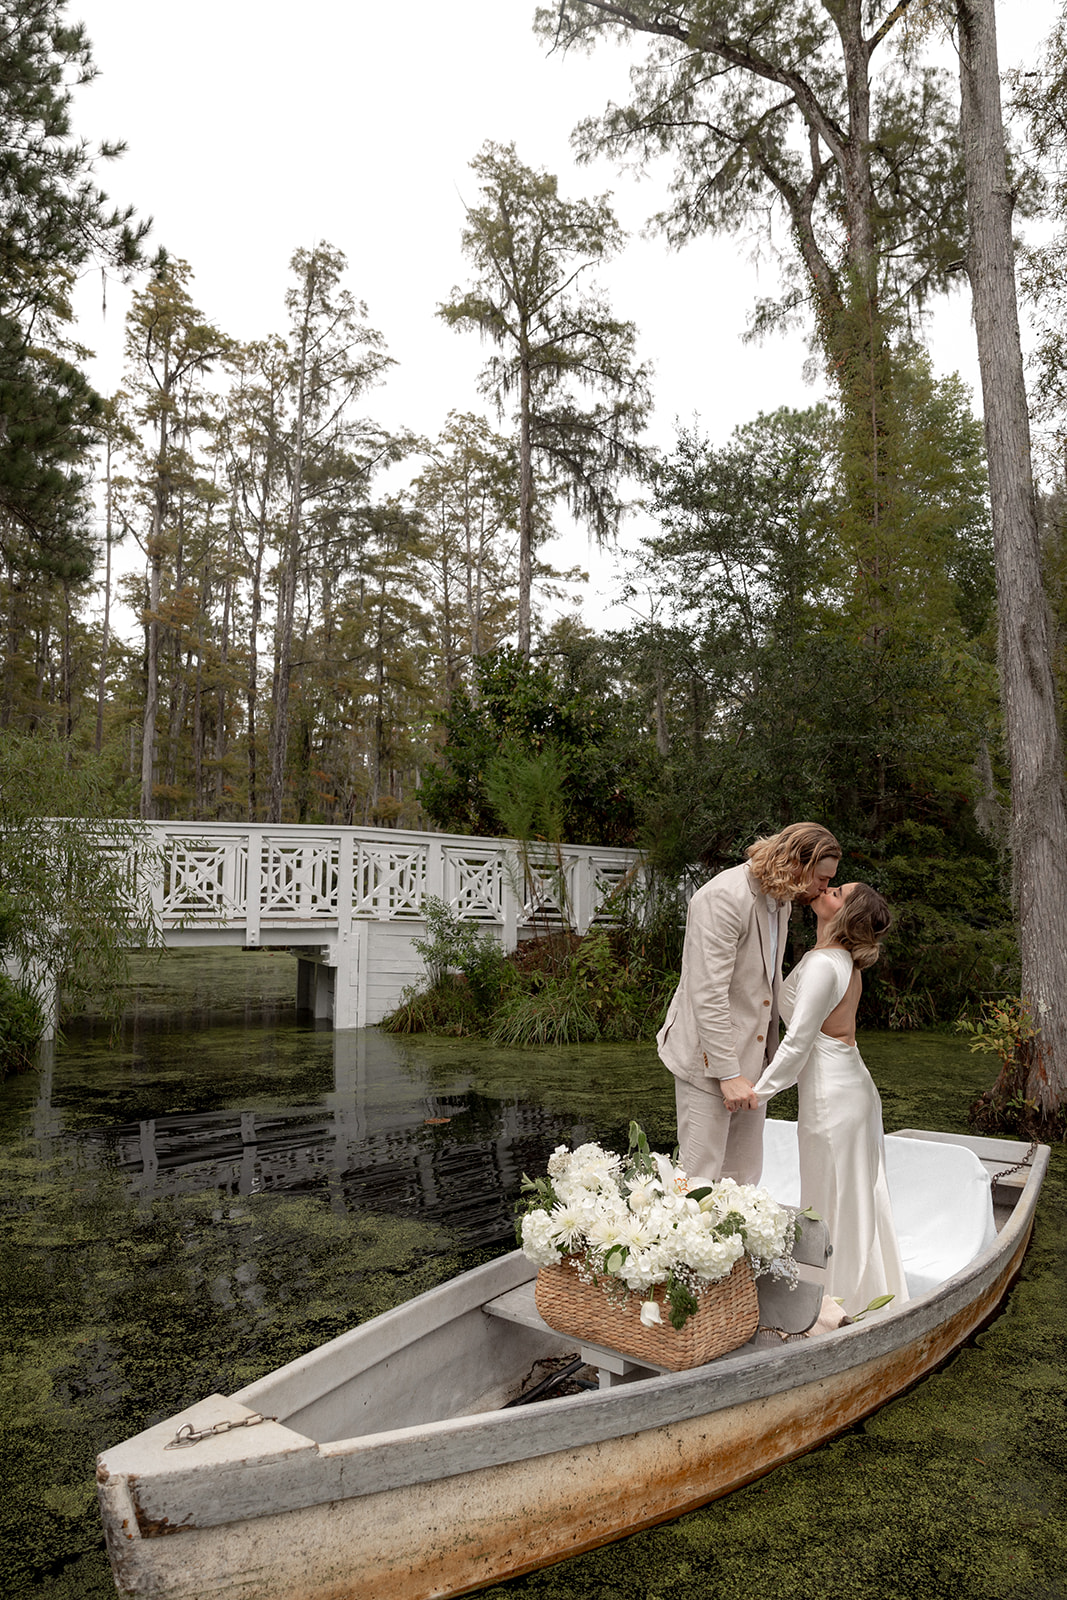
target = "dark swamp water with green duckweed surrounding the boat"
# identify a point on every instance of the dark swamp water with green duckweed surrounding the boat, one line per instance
(226, 1186)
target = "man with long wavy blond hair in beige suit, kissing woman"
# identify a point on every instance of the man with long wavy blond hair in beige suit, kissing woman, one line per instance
(722, 1025)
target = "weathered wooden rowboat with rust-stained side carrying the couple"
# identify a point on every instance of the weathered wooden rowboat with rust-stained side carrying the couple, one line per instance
(394, 1466)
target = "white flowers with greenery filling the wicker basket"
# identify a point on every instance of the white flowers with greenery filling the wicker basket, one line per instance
(633, 1223)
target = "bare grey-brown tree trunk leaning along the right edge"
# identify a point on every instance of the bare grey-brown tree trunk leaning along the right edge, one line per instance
(1039, 809)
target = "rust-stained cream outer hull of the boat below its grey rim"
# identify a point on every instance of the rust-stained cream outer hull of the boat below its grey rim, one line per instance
(458, 1532)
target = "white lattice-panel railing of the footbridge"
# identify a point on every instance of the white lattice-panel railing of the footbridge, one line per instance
(276, 878)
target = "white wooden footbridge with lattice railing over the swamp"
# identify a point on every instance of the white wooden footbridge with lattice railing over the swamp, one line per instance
(348, 902)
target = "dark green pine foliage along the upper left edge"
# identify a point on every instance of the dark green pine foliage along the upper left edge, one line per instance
(54, 220)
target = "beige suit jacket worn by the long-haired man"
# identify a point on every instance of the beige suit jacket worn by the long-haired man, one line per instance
(724, 1017)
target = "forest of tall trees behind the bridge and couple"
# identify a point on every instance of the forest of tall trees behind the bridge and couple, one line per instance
(231, 594)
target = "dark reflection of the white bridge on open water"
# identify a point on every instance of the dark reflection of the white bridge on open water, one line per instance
(385, 1138)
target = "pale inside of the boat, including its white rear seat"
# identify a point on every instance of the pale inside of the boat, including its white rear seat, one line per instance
(478, 1343)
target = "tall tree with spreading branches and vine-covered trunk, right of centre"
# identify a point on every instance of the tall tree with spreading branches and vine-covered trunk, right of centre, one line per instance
(777, 111)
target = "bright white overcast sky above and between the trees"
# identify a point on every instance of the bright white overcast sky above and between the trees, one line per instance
(257, 127)
